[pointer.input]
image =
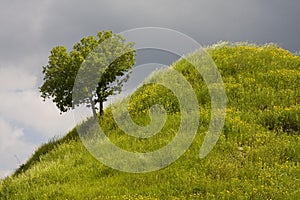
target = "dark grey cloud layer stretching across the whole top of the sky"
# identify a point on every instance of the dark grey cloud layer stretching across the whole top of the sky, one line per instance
(34, 27)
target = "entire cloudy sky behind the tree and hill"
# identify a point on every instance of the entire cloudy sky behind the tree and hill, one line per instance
(30, 29)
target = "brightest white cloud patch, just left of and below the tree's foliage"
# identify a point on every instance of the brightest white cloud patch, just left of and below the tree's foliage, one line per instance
(28, 109)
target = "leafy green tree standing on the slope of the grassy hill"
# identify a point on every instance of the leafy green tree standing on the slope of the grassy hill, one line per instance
(106, 56)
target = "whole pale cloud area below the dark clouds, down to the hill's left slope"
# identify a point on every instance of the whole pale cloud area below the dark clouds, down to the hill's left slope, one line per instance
(22, 108)
